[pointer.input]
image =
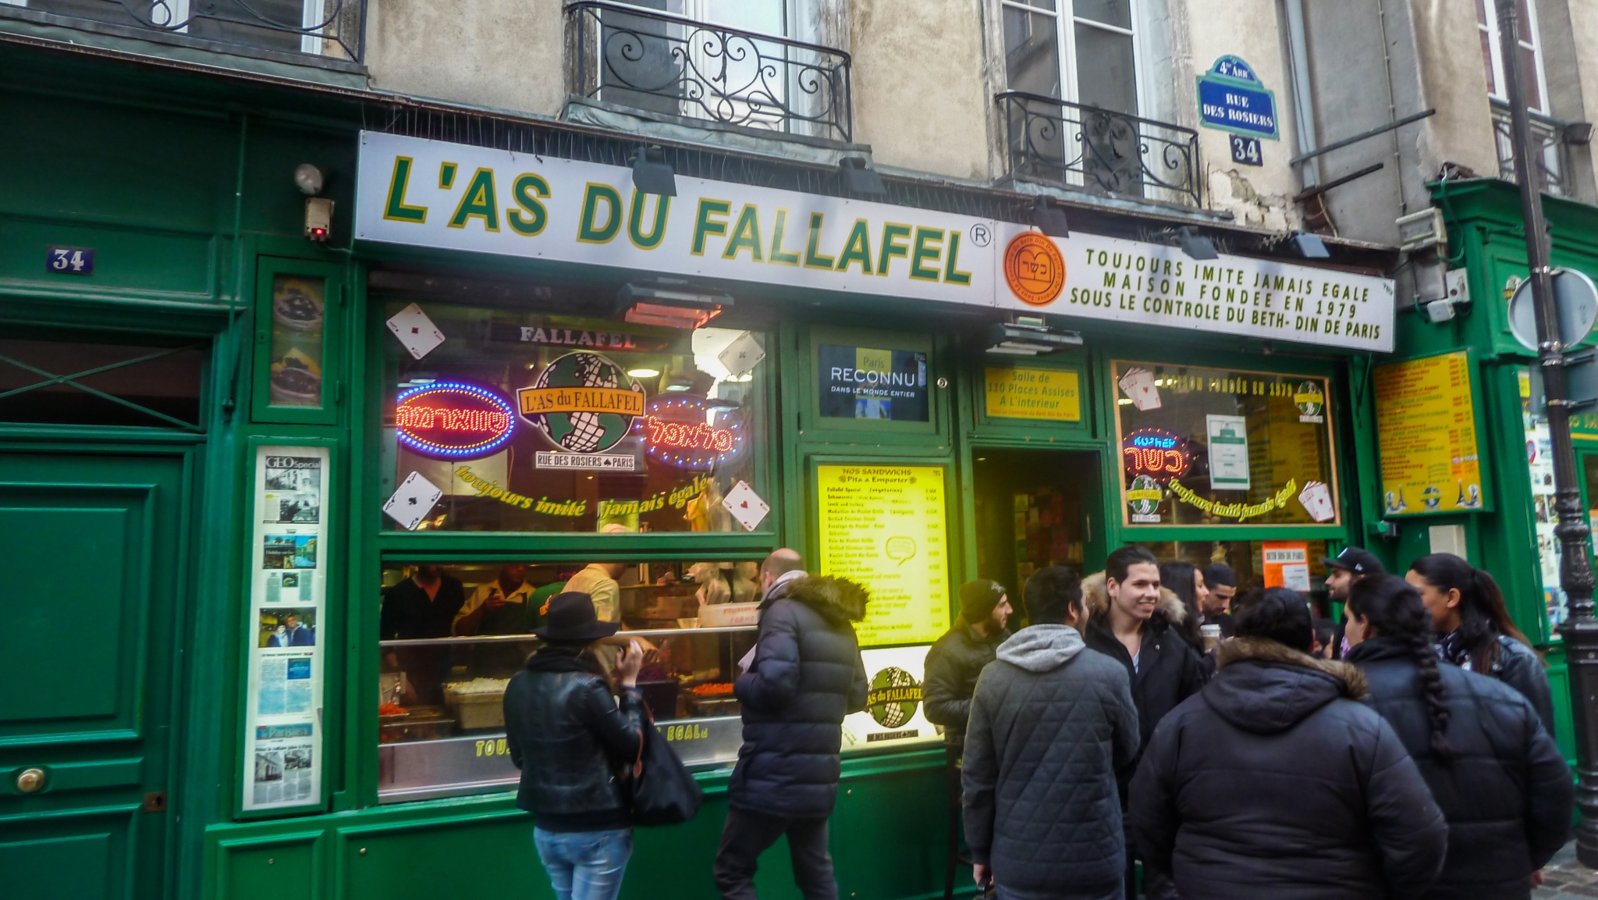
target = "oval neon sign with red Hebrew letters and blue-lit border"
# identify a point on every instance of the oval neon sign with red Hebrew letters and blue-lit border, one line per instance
(453, 421)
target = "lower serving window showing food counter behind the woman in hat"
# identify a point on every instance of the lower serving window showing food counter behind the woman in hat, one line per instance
(453, 635)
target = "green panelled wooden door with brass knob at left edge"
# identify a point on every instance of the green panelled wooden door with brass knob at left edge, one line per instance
(93, 611)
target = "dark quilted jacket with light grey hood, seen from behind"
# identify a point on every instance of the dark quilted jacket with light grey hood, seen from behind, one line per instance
(1052, 722)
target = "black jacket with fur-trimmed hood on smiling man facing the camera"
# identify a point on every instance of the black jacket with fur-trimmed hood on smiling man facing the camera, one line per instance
(1167, 672)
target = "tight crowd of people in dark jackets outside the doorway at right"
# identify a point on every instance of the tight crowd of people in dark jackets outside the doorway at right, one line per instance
(1239, 749)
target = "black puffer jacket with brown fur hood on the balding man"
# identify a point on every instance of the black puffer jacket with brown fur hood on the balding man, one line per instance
(806, 677)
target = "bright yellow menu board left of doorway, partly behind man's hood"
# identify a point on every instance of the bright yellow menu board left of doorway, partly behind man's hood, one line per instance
(886, 527)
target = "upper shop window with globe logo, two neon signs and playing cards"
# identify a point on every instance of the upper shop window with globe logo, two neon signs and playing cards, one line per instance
(514, 421)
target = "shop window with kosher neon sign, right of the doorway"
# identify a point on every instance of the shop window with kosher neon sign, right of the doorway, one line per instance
(1222, 447)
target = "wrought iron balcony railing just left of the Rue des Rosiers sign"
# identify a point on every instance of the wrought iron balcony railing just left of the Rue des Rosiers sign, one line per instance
(1097, 149)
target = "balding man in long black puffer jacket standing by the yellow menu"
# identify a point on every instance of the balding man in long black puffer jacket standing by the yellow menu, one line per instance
(805, 679)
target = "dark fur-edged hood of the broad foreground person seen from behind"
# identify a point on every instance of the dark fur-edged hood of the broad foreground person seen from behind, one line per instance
(1266, 688)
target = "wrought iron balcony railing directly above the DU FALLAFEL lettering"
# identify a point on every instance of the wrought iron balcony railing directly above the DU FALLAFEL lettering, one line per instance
(659, 63)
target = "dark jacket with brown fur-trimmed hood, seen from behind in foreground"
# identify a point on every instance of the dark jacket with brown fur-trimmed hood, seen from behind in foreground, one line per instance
(1278, 783)
